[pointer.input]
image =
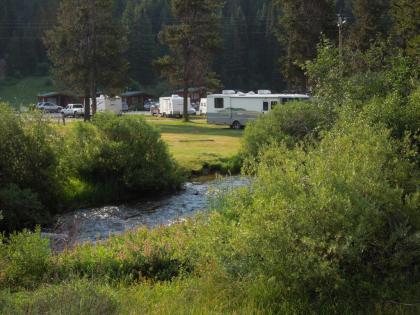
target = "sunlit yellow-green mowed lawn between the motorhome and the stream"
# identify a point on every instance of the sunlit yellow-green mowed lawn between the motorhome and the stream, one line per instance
(194, 143)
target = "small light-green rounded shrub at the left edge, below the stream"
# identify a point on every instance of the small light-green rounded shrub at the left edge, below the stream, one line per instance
(25, 260)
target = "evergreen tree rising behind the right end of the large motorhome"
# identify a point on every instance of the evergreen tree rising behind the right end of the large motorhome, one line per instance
(301, 25)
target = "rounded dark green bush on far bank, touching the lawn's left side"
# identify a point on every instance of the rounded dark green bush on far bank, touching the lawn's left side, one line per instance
(135, 152)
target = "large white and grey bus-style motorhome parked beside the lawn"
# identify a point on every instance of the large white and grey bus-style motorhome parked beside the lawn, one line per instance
(237, 109)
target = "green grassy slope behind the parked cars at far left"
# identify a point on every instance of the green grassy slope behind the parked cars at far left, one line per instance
(23, 92)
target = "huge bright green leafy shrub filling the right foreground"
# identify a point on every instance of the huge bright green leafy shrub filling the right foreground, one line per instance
(329, 229)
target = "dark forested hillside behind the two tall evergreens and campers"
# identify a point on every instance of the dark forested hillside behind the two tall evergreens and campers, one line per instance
(264, 41)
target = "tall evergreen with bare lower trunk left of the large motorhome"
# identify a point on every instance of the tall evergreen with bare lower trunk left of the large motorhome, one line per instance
(192, 42)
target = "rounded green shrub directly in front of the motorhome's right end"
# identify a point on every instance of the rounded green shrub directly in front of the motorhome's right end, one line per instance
(290, 124)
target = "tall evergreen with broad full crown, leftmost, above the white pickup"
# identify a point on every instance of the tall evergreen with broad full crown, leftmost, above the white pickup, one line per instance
(86, 48)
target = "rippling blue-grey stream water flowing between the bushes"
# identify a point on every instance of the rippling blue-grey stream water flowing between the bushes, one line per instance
(96, 224)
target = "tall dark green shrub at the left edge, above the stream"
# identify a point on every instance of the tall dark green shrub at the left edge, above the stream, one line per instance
(27, 169)
